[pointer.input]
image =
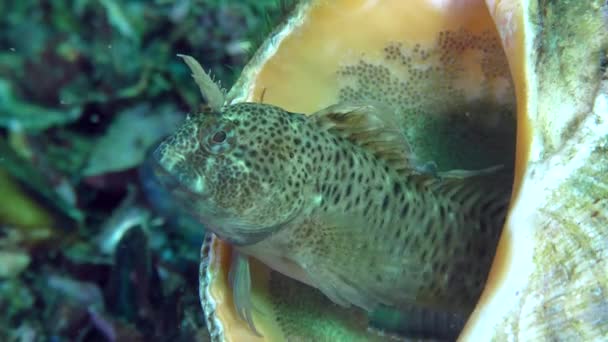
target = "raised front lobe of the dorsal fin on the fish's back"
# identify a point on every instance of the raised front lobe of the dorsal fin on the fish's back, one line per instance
(373, 127)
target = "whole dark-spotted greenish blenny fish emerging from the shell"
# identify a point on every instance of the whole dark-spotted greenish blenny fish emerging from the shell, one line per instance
(336, 200)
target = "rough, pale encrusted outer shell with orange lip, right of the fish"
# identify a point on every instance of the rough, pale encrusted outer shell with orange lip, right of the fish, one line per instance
(549, 280)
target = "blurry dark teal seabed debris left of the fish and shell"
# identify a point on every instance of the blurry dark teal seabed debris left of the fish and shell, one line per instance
(90, 248)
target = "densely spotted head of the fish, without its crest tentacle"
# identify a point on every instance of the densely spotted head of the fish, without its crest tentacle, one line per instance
(235, 170)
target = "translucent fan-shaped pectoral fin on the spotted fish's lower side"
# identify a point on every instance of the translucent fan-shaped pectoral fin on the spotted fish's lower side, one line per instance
(337, 265)
